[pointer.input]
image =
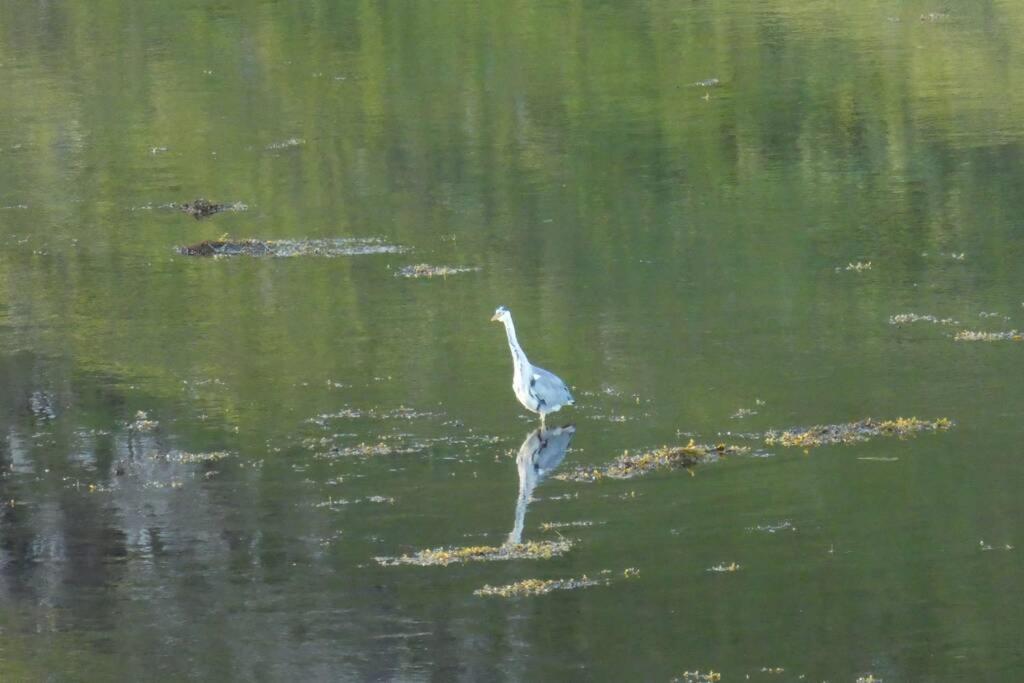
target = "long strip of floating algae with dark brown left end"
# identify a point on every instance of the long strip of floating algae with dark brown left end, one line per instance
(288, 248)
